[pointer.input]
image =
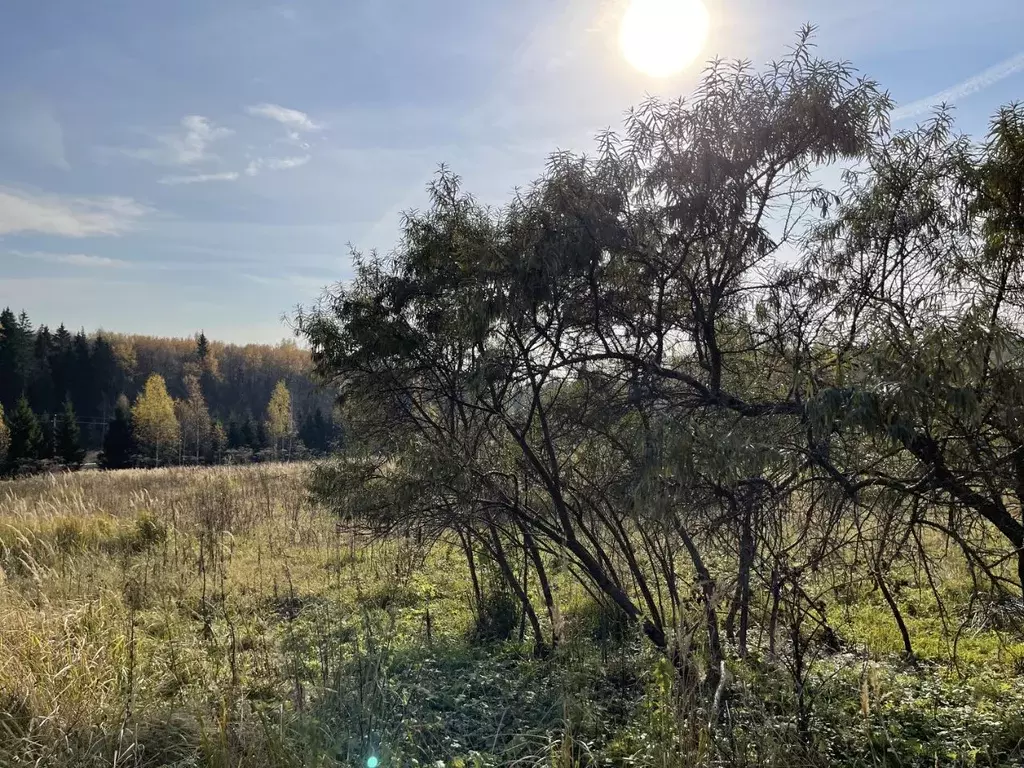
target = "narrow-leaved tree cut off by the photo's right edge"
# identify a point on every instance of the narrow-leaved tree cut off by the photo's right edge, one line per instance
(921, 349)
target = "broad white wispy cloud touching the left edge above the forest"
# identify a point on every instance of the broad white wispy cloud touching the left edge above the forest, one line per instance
(67, 218)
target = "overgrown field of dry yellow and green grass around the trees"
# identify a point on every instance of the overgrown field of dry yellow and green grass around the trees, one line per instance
(218, 618)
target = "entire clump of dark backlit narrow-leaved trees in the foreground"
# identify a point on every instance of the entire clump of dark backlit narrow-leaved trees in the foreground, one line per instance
(698, 377)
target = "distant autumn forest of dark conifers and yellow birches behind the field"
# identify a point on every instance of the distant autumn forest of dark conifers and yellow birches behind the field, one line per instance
(144, 401)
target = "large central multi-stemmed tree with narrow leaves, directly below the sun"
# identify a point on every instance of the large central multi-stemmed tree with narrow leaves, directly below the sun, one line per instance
(565, 376)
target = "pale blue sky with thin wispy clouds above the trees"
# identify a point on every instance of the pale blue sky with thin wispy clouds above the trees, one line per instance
(169, 167)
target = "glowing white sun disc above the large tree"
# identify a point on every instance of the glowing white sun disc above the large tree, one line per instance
(663, 37)
